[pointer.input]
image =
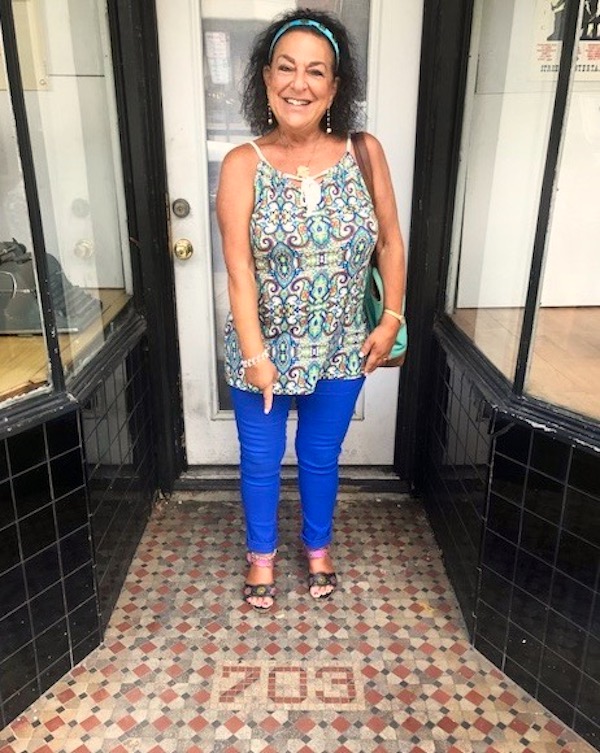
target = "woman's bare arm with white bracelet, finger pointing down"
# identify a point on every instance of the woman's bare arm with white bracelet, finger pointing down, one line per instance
(235, 199)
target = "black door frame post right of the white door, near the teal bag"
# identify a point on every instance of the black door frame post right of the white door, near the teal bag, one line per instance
(444, 59)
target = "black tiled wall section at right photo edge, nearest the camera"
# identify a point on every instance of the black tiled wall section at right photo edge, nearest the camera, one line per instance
(541, 572)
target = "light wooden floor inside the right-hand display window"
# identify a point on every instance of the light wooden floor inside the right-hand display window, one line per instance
(565, 363)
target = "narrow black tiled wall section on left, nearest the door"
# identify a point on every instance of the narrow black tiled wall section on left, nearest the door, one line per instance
(121, 471)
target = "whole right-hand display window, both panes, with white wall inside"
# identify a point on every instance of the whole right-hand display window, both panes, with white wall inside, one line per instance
(514, 70)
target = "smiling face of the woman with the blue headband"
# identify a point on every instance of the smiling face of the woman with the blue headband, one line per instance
(300, 80)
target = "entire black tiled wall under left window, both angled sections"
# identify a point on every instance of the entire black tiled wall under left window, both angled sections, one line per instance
(75, 495)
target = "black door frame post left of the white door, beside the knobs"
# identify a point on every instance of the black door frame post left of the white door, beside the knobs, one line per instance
(134, 41)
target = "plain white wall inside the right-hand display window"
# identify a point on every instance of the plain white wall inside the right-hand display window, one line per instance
(511, 112)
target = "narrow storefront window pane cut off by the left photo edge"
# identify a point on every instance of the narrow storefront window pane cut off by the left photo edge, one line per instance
(24, 360)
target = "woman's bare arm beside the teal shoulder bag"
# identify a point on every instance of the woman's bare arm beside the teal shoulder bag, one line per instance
(390, 257)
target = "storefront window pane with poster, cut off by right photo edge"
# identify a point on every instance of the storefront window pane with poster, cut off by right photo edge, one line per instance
(565, 355)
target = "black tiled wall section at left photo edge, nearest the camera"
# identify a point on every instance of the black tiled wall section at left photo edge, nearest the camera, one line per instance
(49, 616)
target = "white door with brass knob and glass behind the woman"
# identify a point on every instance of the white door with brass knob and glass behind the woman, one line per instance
(192, 165)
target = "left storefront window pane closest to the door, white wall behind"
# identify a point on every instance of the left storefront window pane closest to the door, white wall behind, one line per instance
(65, 61)
